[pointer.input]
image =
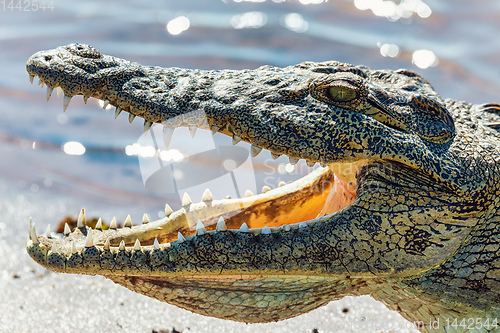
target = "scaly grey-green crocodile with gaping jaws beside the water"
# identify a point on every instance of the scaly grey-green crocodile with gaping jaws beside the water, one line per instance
(403, 206)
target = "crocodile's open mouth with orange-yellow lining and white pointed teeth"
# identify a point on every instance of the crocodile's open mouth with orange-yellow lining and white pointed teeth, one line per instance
(321, 193)
